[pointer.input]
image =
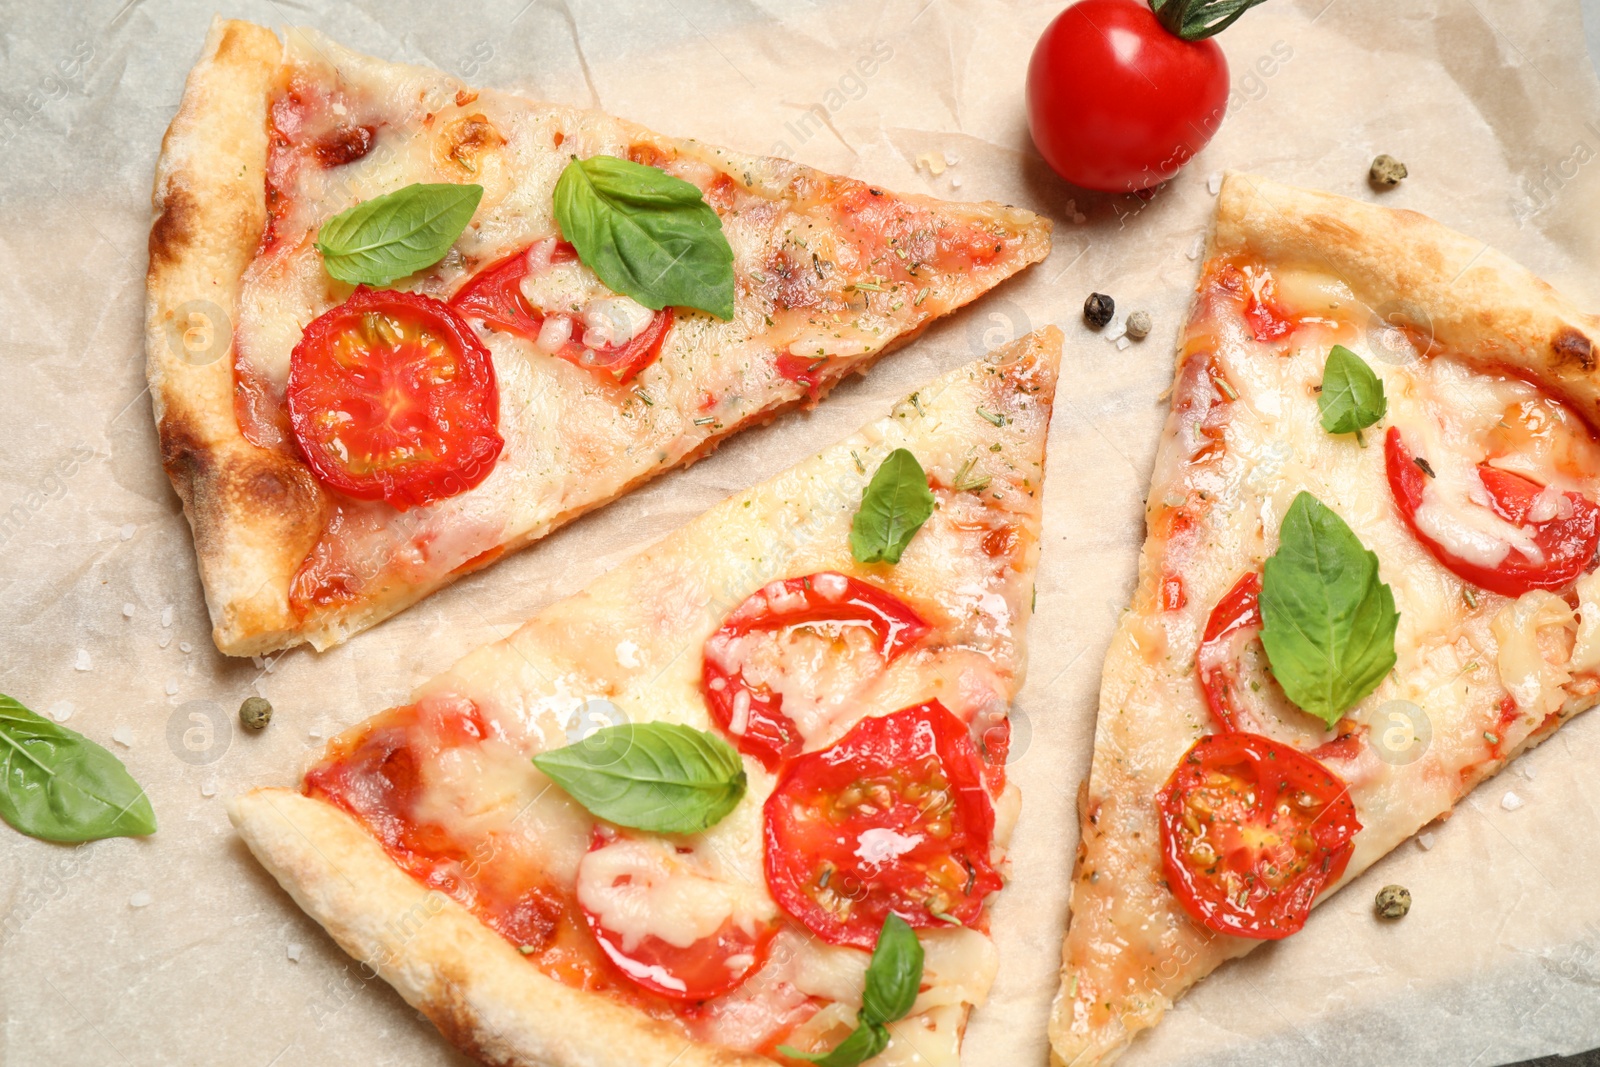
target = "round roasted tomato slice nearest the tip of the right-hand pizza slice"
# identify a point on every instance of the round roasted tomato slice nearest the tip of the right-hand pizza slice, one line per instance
(1252, 831)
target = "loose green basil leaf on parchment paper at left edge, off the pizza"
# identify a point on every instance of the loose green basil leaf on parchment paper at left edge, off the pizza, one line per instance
(60, 786)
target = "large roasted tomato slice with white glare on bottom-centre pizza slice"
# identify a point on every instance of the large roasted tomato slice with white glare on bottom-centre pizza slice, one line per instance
(894, 818)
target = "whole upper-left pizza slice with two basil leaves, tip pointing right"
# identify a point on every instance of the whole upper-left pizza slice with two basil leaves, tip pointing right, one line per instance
(399, 327)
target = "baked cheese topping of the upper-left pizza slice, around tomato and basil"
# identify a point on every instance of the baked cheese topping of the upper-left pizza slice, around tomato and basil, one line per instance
(828, 274)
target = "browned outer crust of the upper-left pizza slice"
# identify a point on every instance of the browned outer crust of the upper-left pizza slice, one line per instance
(255, 513)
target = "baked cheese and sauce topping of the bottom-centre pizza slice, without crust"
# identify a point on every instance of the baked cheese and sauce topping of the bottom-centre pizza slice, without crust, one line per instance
(474, 818)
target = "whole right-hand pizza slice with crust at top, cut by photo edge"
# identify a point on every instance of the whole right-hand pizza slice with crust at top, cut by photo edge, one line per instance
(1367, 586)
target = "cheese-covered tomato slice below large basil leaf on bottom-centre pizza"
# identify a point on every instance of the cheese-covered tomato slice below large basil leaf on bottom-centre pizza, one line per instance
(630, 877)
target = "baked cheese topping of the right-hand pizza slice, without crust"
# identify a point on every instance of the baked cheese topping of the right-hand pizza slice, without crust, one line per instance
(1479, 676)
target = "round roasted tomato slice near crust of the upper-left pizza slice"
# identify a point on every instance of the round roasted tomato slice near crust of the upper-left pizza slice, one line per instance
(393, 398)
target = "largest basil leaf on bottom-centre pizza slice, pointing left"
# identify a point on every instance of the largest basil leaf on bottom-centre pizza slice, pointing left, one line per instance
(650, 777)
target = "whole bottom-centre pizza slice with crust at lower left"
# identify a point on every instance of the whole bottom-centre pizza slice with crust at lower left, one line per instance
(676, 817)
